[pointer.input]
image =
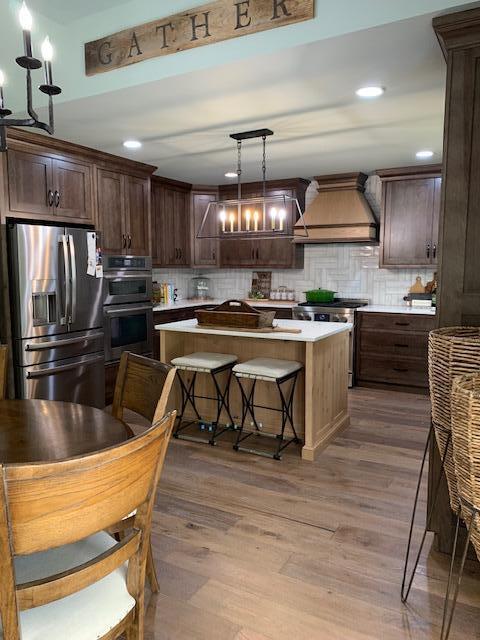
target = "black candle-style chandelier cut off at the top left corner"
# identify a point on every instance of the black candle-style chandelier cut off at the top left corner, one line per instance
(29, 63)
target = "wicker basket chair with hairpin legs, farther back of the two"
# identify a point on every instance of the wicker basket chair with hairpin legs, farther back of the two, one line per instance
(452, 351)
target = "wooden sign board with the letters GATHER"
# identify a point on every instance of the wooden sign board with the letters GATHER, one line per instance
(209, 23)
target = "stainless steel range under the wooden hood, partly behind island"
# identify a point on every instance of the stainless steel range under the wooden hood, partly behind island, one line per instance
(340, 310)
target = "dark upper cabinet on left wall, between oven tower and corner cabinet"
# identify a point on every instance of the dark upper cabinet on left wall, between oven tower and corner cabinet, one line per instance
(170, 222)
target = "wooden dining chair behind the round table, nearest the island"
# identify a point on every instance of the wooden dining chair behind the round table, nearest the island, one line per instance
(143, 386)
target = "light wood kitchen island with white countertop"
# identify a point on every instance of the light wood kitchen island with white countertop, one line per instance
(320, 401)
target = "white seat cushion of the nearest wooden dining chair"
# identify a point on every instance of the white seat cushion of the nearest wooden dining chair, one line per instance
(85, 615)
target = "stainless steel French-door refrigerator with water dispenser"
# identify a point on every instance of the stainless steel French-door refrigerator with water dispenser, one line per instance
(57, 314)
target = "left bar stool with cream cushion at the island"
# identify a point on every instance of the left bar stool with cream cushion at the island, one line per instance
(212, 364)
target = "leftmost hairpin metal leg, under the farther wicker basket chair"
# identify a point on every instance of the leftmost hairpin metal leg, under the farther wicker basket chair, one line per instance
(406, 591)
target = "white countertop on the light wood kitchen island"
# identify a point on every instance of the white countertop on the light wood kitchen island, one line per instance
(311, 331)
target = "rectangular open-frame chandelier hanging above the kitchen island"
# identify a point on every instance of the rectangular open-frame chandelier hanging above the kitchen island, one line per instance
(265, 215)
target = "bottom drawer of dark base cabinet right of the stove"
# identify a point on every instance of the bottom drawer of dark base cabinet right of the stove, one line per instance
(395, 370)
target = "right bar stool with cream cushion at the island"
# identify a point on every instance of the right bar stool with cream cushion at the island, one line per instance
(267, 370)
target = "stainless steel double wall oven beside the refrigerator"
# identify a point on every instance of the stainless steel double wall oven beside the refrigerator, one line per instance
(127, 311)
